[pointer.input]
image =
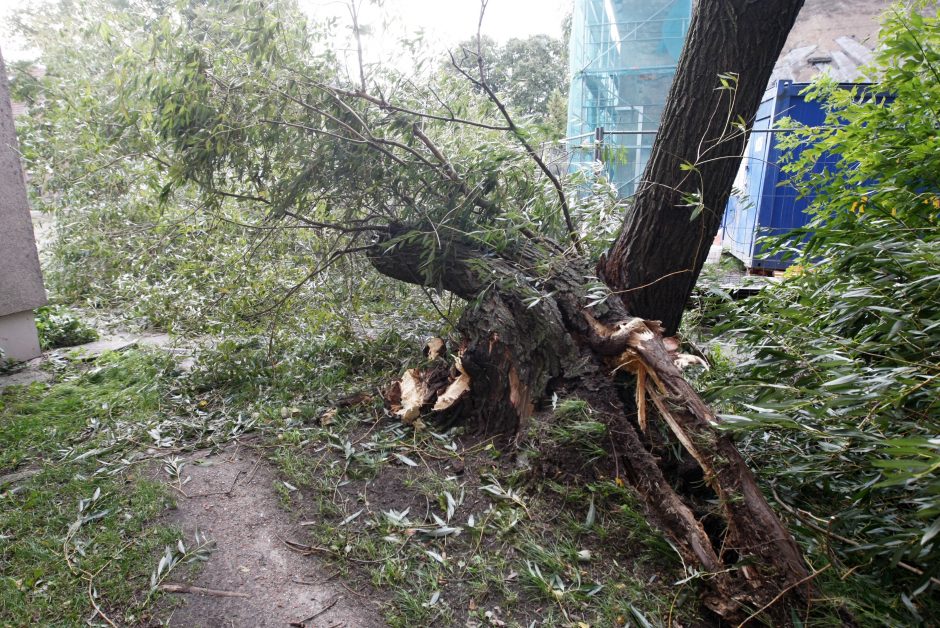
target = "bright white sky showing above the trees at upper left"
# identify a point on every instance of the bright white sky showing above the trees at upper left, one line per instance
(443, 22)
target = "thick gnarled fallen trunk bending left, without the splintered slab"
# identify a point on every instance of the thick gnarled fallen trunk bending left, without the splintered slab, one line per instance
(511, 347)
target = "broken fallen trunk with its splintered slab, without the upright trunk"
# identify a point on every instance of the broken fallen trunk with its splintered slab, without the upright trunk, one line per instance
(515, 353)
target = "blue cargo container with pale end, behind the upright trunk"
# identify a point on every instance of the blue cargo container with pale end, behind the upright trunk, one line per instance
(768, 203)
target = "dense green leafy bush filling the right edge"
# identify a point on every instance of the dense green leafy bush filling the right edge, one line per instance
(838, 399)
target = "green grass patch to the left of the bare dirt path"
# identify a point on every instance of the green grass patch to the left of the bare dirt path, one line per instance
(54, 556)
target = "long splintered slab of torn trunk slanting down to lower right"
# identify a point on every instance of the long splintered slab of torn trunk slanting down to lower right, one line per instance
(767, 558)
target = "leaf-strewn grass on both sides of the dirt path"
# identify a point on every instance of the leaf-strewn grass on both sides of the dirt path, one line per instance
(525, 550)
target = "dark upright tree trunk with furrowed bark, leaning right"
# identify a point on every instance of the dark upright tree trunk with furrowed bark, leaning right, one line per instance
(678, 207)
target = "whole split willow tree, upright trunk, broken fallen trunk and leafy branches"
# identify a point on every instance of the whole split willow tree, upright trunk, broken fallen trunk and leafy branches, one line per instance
(437, 185)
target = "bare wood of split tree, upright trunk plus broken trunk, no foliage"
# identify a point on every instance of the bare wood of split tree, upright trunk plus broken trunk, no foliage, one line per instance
(525, 337)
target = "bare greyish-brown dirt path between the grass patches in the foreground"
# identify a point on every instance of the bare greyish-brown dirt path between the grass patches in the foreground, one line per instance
(232, 501)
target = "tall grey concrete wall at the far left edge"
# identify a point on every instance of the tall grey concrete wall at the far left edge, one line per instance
(21, 287)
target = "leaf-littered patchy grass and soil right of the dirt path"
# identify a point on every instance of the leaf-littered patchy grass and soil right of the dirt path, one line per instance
(450, 530)
